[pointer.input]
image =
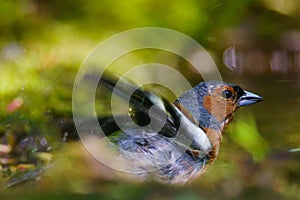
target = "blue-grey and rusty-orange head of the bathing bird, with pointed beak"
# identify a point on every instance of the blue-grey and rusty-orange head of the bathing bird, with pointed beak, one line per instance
(213, 103)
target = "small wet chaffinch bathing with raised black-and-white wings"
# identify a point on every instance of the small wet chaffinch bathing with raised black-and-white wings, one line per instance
(172, 142)
